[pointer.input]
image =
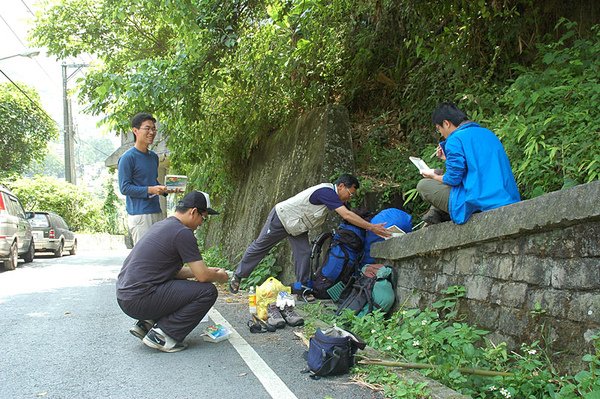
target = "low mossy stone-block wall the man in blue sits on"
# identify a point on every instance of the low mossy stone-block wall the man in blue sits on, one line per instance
(530, 269)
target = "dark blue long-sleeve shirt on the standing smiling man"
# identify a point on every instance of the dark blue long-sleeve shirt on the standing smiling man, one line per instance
(137, 172)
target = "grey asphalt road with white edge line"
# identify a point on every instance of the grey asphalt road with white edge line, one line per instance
(64, 336)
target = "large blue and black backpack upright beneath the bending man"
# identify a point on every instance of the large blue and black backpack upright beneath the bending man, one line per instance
(341, 259)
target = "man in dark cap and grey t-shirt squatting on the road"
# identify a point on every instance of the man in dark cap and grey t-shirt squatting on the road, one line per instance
(153, 287)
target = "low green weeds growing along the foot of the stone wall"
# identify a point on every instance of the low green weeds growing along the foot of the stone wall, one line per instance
(436, 336)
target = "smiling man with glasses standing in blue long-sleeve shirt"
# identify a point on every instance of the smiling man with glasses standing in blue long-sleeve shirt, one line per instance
(138, 178)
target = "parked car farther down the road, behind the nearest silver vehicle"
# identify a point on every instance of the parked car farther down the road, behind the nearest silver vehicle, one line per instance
(51, 233)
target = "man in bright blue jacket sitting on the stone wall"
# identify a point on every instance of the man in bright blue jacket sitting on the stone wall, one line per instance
(478, 175)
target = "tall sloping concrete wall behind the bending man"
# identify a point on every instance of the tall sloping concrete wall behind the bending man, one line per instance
(305, 153)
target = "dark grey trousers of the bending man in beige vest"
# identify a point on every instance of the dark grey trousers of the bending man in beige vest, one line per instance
(271, 233)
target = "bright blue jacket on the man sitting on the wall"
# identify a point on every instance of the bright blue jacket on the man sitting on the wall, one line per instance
(478, 171)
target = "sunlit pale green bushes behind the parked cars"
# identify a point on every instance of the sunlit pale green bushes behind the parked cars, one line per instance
(71, 202)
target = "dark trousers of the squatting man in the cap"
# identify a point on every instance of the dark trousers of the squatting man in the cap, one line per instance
(176, 306)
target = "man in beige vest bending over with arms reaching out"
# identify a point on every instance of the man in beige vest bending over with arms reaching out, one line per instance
(293, 218)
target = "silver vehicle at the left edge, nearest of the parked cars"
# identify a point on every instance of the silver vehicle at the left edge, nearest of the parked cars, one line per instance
(15, 231)
